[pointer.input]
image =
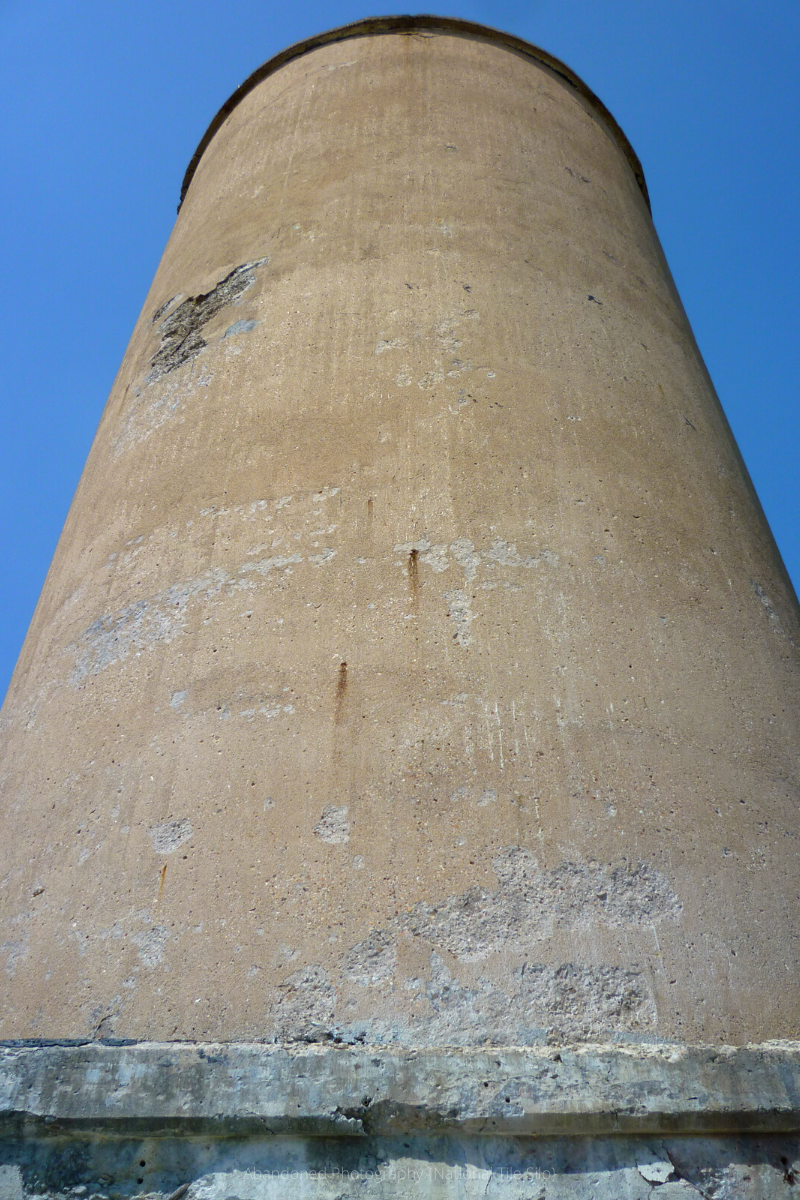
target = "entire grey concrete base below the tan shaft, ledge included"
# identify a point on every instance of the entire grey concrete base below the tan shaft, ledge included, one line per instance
(248, 1123)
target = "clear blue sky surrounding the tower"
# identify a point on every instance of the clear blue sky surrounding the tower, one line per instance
(104, 105)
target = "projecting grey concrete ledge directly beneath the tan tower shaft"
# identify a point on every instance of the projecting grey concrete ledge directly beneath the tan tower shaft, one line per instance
(243, 1089)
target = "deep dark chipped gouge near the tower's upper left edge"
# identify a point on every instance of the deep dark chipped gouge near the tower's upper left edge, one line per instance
(181, 329)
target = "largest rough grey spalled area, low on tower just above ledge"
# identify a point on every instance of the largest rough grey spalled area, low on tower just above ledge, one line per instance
(533, 1001)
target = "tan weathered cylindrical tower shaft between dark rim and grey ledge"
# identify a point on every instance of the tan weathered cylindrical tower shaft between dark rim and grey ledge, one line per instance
(417, 664)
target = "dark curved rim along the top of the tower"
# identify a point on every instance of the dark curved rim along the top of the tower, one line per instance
(374, 26)
